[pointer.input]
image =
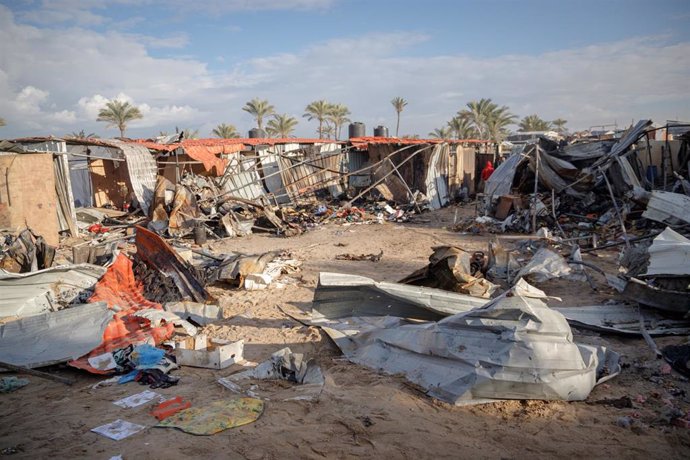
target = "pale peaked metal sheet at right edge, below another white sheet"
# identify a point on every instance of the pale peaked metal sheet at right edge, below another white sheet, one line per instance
(669, 254)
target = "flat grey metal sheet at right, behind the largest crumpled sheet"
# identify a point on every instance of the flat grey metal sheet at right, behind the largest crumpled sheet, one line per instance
(623, 319)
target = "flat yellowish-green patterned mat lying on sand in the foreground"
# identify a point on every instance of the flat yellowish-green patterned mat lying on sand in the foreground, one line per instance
(215, 417)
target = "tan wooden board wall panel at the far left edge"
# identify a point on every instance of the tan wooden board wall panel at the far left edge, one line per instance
(27, 194)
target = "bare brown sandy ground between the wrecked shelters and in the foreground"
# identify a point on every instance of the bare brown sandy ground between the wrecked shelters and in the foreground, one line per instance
(360, 412)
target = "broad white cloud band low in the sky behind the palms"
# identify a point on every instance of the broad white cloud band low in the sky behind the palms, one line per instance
(60, 78)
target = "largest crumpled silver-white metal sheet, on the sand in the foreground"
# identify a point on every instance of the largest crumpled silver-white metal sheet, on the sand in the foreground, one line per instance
(515, 347)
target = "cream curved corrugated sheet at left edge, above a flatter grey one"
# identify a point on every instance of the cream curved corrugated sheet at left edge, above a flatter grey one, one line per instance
(26, 294)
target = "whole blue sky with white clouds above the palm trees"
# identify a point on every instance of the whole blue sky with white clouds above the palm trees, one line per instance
(194, 64)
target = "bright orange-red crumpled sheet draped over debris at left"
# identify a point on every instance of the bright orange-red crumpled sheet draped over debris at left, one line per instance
(125, 295)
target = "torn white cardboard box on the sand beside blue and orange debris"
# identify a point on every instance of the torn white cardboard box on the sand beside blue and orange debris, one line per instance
(200, 351)
